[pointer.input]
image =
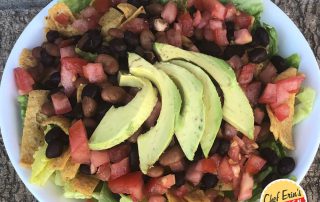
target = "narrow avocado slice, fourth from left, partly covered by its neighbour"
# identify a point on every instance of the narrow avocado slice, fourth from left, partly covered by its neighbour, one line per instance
(212, 105)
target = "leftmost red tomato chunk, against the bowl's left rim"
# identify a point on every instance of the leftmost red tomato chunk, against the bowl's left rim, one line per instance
(24, 80)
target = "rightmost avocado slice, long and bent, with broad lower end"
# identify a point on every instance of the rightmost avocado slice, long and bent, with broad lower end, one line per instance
(236, 108)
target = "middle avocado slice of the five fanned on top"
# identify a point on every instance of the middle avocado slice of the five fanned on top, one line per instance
(191, 90)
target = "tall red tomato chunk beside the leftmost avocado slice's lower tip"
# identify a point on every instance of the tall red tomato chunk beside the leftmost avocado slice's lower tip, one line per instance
(80, 152)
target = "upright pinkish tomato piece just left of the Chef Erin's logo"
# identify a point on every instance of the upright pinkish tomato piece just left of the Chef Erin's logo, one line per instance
(246, 187)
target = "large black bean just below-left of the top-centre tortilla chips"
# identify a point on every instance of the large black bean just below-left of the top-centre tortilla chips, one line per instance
(90, 41)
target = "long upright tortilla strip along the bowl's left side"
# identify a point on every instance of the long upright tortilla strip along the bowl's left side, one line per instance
(33, 136)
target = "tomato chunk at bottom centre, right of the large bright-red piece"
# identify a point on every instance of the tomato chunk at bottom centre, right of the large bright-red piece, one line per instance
(159, 186)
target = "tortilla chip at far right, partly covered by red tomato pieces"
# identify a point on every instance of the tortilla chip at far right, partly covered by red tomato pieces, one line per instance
(282, 130)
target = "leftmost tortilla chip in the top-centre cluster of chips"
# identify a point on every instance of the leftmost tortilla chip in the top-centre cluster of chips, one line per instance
(111, 19)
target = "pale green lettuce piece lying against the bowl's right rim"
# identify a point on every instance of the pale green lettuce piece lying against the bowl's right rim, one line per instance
(305, 100)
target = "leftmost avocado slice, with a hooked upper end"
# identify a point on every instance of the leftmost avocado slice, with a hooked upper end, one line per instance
(118, 124)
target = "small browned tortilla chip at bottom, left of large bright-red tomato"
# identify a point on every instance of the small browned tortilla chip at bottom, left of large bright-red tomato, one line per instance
(84, 184)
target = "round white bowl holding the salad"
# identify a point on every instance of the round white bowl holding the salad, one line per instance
(307, 133)
